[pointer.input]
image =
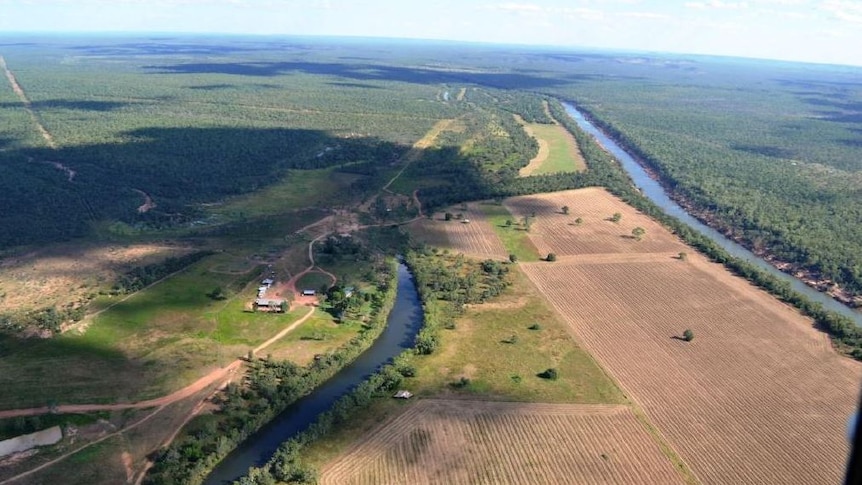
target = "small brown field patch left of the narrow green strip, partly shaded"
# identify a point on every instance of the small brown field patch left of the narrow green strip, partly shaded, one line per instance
(473, 238)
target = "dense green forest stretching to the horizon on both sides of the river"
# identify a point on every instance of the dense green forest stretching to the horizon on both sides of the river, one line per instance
(766, 152)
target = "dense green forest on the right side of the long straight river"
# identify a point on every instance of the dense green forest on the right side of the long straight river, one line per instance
(768, 153)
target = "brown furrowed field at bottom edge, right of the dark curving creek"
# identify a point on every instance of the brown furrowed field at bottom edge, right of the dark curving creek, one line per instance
(468, 442)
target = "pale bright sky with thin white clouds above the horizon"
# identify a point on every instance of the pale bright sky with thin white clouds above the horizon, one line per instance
(824, 31)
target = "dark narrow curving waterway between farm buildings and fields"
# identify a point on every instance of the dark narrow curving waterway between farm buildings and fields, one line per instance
(402, 325)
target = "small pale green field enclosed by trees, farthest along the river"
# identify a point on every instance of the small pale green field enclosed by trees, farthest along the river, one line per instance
(558, 150)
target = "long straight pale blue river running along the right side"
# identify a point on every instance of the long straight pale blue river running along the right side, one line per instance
(656, 193)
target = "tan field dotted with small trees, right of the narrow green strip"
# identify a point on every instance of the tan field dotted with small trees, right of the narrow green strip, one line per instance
(554, 232)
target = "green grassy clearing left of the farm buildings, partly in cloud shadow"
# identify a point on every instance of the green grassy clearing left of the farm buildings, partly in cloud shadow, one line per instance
(155, 341)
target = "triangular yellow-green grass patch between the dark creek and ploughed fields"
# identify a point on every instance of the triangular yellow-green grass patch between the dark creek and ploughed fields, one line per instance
(496, 370)
